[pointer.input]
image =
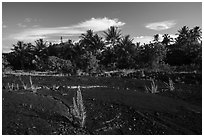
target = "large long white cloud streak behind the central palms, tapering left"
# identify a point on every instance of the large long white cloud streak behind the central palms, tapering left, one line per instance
(96, 24)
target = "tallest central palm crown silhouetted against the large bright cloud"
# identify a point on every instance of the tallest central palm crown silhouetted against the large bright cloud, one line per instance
(113, 35)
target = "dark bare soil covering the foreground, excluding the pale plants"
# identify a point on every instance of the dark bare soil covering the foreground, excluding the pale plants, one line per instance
(121, 108)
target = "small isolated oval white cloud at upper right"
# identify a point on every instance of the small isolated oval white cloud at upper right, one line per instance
(161, 25)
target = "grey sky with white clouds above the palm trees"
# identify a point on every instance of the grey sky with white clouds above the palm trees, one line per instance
(50, 20)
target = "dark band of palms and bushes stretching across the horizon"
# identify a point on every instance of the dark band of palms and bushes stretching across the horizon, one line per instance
(93, 53)
